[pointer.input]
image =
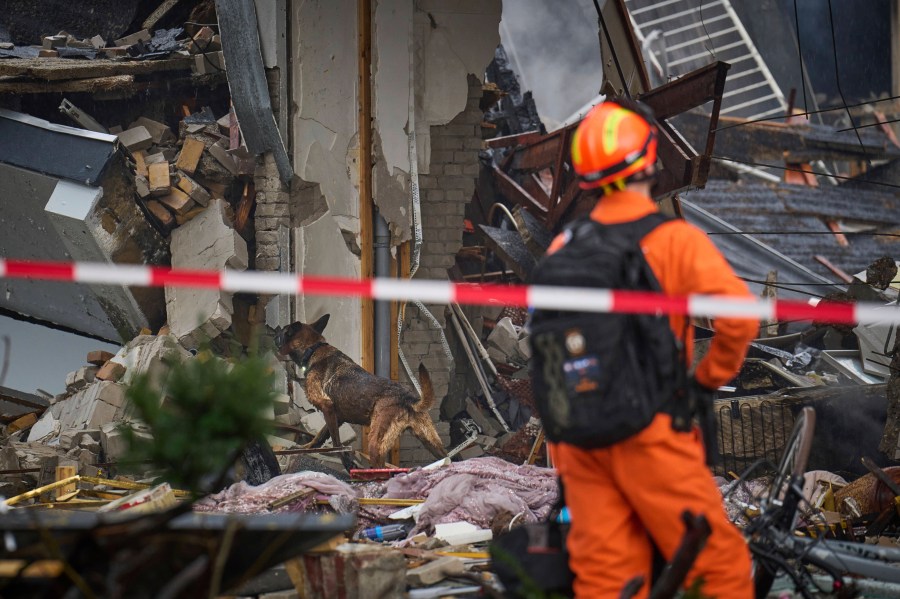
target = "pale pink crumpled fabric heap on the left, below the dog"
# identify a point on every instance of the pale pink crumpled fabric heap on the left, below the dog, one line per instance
(241, 498)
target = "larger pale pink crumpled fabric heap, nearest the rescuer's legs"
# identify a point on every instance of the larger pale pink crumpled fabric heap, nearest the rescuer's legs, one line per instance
(476, 490)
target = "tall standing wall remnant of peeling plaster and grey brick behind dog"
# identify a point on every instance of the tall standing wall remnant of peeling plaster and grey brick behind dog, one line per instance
(440, 49)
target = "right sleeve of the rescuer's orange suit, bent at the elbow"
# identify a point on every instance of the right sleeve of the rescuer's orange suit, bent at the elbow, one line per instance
(703, 270)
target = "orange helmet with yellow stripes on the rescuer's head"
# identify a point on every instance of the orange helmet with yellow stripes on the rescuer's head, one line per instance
(611, 144)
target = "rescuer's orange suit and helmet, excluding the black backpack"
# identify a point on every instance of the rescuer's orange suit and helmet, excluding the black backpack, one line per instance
(622, 496)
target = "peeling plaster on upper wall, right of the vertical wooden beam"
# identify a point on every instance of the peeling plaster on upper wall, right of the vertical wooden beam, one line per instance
(450, 40)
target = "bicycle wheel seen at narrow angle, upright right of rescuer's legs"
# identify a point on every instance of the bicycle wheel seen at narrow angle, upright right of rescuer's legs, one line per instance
(779, 508)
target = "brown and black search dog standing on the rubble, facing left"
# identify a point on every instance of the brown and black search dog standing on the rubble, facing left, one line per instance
(345, 392)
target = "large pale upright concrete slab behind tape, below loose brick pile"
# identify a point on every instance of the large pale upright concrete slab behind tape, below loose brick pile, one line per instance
(207, 242)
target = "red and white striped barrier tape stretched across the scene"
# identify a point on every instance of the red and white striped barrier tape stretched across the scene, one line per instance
(444, 292)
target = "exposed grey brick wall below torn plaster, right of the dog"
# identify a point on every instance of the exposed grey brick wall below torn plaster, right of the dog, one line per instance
(444, 192)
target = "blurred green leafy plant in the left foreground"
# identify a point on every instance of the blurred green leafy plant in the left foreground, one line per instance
(206, 412)
